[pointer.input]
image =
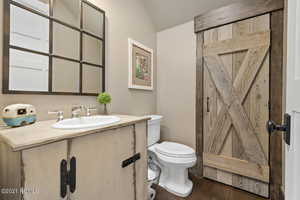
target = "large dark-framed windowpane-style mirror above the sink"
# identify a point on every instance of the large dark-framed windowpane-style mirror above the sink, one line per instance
(53, 47)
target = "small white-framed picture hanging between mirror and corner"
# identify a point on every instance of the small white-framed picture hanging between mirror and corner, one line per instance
(140, 66)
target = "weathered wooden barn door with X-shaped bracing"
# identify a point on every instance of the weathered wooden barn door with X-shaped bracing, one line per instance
(236, 98)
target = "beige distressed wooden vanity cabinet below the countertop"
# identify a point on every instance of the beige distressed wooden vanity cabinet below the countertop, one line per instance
(99, 171)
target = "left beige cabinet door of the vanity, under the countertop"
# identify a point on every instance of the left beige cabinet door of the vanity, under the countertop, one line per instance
(41, 171)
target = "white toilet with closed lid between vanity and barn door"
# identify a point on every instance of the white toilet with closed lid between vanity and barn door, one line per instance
(174, 160)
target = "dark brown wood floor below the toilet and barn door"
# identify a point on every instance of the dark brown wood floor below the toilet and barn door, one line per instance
(205, 189)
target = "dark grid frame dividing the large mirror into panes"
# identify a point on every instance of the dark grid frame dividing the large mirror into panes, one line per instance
(7, 47)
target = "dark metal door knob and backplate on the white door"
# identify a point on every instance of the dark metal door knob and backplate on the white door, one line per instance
(285, 128)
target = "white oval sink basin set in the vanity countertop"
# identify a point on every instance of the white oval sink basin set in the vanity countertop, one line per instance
(86, 122)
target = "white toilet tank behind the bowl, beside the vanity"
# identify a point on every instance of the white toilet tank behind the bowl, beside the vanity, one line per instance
(154, 129)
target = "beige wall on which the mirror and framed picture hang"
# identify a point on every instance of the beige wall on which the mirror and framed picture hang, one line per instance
(124, 19)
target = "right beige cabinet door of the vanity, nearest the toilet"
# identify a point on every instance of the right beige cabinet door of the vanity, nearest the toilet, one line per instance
(99, 174)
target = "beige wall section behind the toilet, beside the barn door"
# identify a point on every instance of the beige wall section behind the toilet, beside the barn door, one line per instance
(176, 65)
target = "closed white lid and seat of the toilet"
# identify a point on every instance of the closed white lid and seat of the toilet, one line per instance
(176, 150)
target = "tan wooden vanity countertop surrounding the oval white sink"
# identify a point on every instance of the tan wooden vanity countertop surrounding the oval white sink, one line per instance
(42, 133)
